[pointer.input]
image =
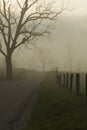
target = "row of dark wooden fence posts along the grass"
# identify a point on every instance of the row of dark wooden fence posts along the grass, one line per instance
(70, 80)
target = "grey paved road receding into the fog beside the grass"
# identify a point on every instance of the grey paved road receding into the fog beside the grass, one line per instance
(13, 96)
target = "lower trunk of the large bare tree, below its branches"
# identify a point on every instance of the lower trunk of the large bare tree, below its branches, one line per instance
(9, 67)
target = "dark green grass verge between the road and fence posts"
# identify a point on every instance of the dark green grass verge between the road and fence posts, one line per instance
(57, 108)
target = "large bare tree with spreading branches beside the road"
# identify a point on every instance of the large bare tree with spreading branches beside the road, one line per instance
(20, 26)
